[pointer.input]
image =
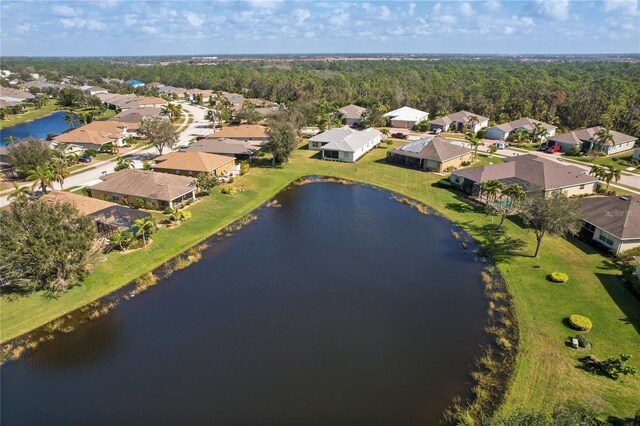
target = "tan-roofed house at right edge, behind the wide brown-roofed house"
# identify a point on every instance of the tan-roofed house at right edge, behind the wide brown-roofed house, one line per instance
(587, 140)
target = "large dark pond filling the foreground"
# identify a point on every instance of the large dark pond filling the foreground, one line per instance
(342, 306)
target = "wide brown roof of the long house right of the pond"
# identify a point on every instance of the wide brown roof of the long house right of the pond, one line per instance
(537, 171)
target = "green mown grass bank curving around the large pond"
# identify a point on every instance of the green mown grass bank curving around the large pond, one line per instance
(546, 369)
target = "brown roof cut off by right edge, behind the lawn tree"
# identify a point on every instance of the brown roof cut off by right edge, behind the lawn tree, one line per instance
(619, 216)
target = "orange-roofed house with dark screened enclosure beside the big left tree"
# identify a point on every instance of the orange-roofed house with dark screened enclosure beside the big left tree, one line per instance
(108, 217)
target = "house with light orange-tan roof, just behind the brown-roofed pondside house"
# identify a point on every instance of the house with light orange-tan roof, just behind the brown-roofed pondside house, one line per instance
(194, 163)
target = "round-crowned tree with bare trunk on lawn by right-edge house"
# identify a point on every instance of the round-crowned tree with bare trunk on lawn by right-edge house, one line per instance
(553, 214)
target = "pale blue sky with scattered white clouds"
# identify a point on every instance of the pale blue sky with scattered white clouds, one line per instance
(121, 27)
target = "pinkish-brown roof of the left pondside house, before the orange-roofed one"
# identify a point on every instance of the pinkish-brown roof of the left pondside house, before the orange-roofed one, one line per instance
(147, 184)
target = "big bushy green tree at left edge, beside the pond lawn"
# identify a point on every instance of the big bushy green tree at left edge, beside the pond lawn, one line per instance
(44, 245)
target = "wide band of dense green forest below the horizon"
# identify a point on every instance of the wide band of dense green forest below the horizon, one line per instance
(567, 94)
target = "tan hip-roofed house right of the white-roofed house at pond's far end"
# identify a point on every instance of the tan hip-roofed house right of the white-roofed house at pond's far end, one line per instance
(432, 153)
